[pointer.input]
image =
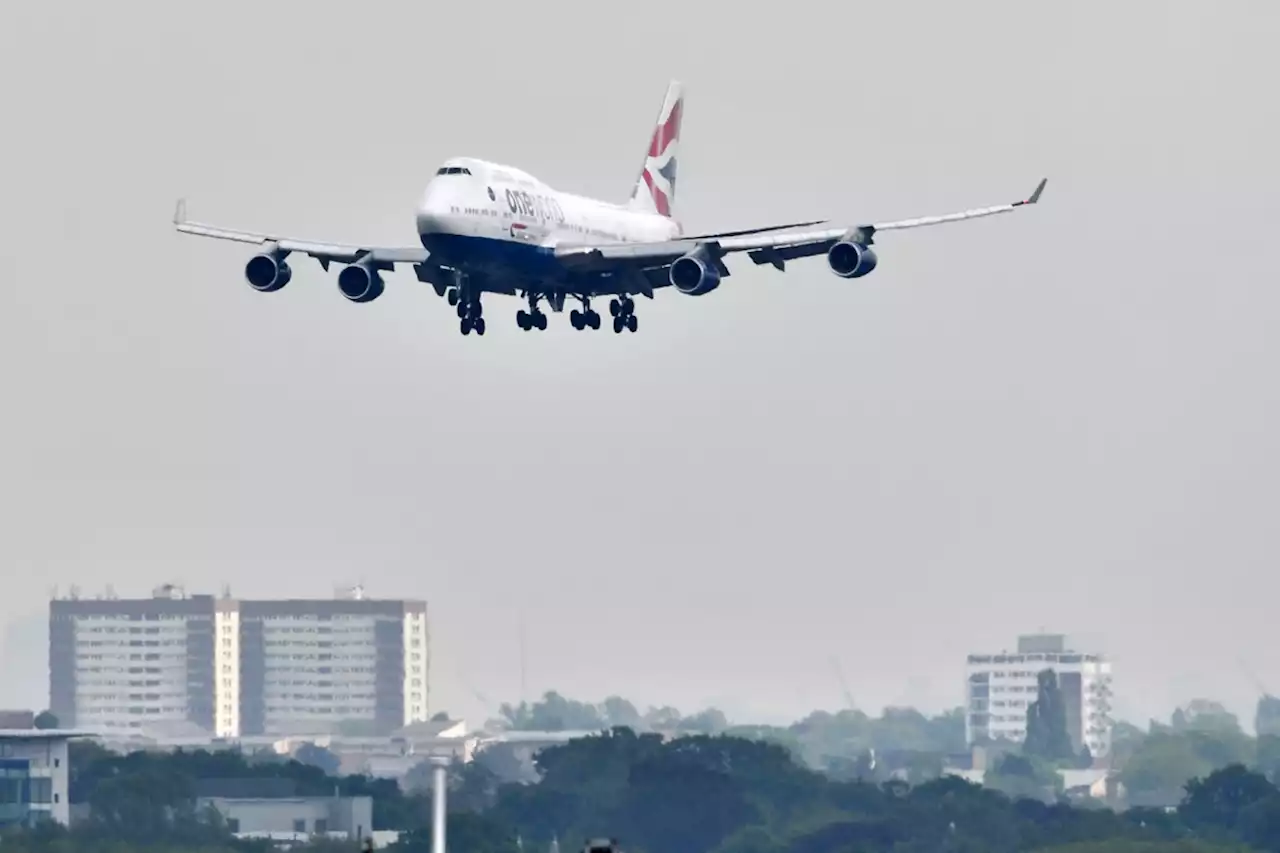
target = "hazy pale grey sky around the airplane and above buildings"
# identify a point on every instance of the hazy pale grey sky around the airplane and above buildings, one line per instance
(1063, 419)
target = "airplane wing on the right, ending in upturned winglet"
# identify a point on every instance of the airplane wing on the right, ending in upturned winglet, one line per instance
(762, 248)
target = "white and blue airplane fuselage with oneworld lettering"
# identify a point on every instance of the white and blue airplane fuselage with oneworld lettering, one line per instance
(491, 212)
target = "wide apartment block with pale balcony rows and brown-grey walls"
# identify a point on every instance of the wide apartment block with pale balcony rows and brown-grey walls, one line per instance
(239, 668)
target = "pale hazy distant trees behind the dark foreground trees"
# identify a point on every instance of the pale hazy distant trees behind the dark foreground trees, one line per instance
(1153, 763)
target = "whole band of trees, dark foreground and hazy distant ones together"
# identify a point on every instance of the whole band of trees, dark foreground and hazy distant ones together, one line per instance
(831, 783)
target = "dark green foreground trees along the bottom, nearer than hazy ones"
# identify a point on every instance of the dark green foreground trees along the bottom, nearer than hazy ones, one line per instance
(692, 795)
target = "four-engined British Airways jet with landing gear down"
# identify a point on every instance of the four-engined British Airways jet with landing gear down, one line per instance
(490, 229)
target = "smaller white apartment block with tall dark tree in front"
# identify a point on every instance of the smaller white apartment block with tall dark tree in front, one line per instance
(1002, 687)
